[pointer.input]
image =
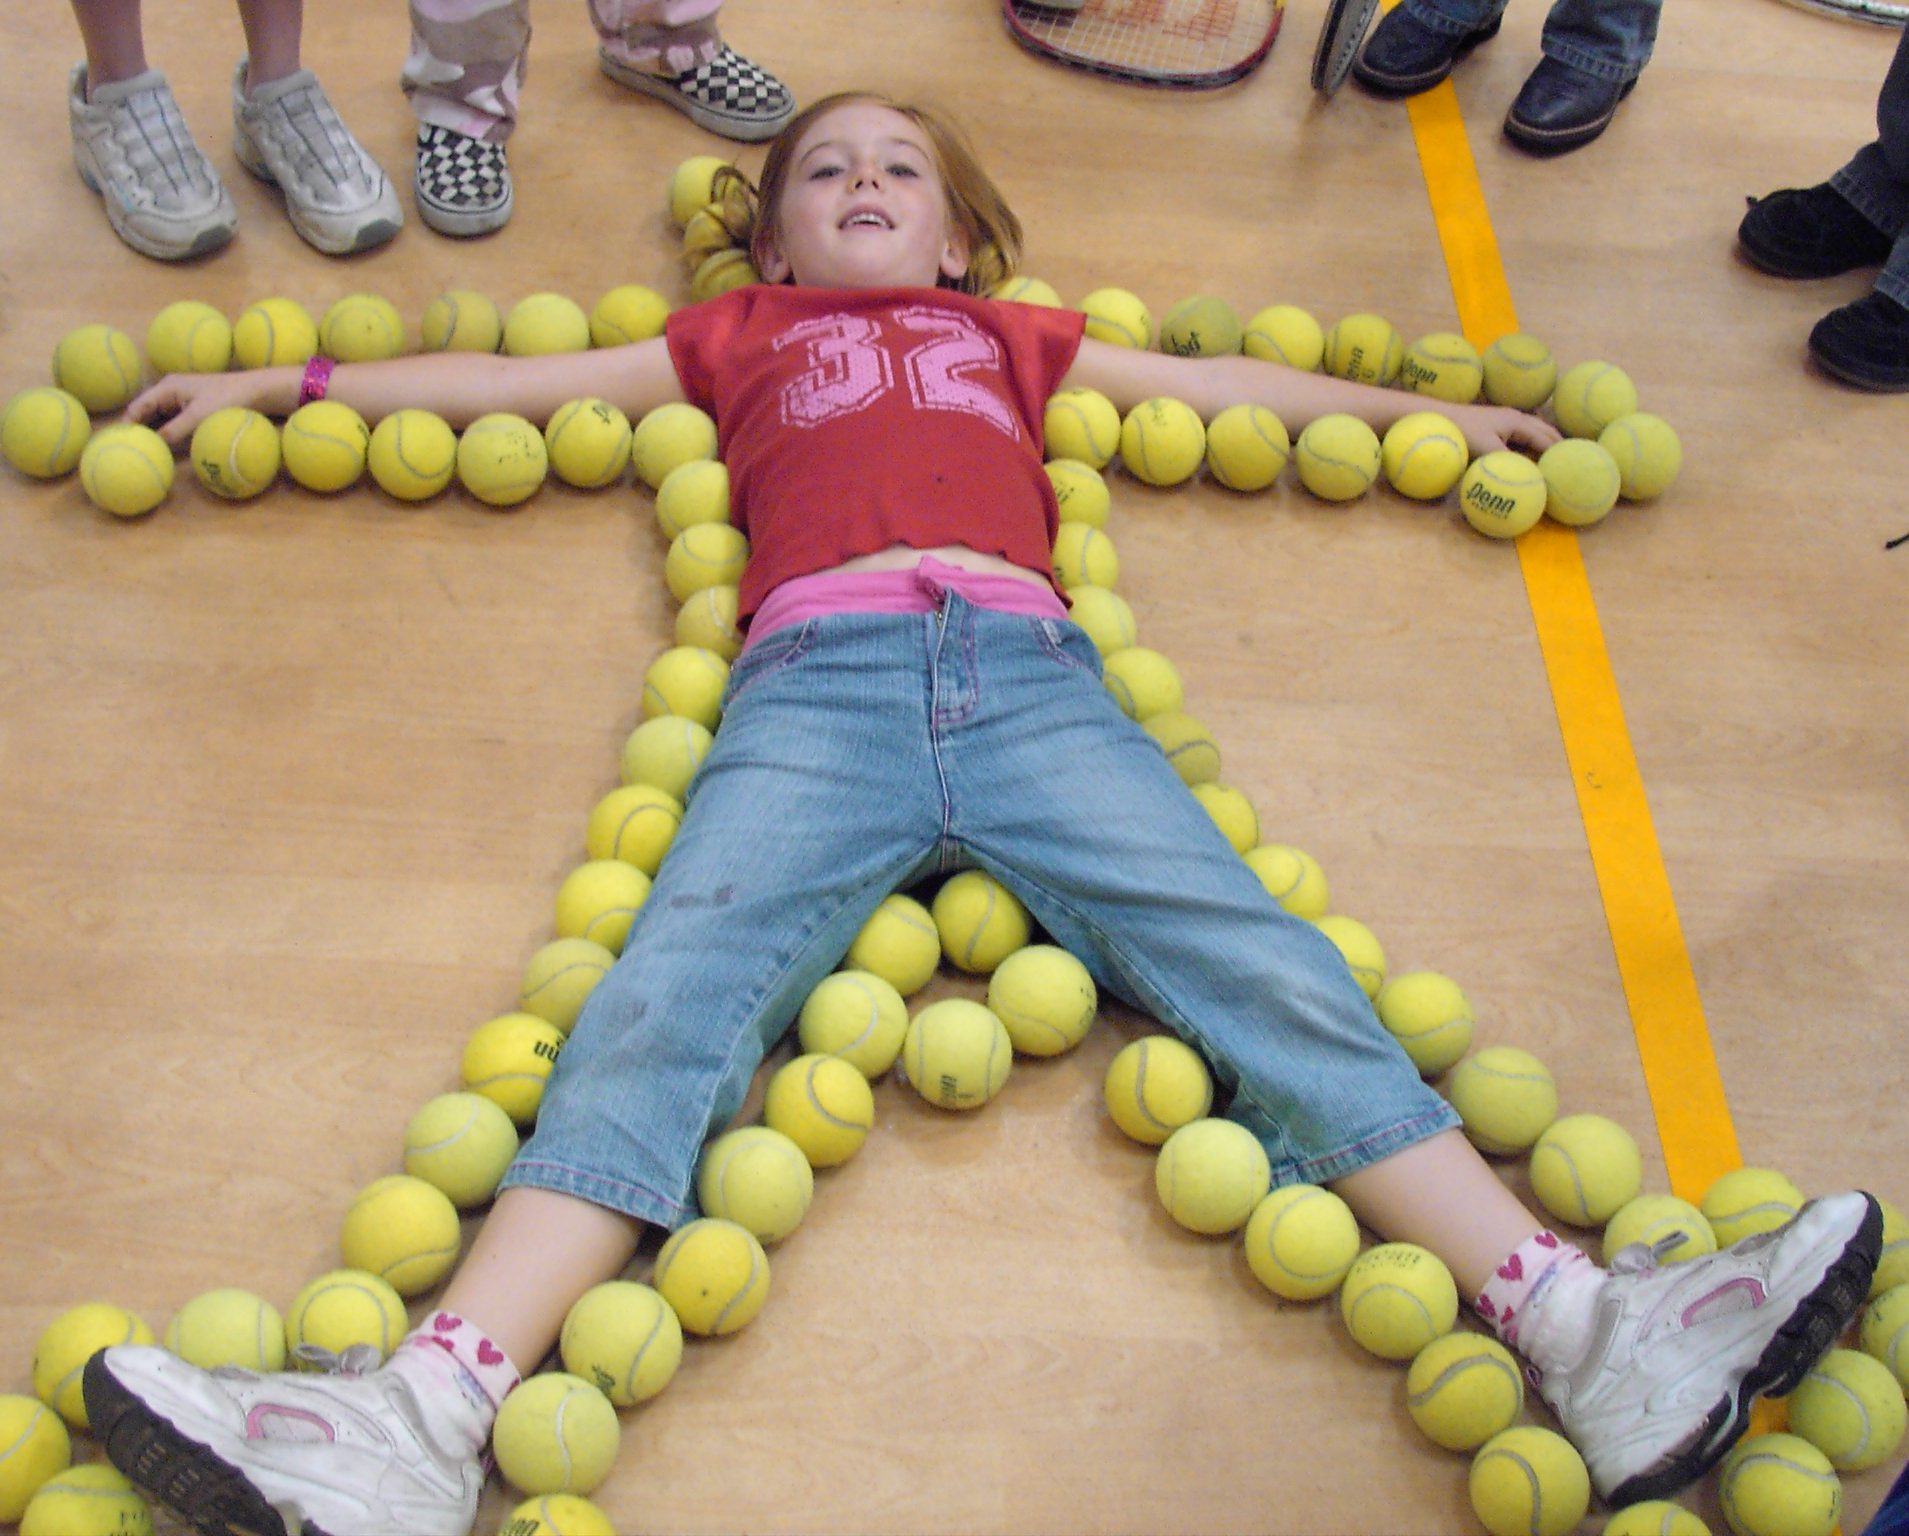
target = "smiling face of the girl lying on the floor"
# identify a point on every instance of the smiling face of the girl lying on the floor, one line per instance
(864, 207)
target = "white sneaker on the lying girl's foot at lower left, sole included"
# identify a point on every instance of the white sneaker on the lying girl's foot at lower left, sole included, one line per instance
(236, 1451)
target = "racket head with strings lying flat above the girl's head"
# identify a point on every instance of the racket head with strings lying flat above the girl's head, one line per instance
(1186, 45)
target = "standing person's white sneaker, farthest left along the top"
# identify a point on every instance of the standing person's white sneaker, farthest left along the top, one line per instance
(136, 152)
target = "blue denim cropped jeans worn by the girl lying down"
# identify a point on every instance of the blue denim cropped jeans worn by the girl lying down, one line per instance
(862, 753)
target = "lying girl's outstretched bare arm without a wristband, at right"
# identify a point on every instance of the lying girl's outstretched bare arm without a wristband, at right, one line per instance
(1211, 384)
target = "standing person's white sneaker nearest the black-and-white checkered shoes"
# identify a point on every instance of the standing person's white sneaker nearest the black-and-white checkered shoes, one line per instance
(335, 194)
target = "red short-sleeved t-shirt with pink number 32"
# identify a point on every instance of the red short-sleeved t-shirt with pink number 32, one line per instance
(862, 419)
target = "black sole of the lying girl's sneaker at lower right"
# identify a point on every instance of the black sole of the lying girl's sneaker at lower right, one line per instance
(1799, 1344)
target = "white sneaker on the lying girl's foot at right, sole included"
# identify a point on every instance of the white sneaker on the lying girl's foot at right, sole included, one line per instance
(1679, 1354)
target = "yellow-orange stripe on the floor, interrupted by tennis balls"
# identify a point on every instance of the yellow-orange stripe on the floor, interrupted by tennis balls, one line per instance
(1681, 1073)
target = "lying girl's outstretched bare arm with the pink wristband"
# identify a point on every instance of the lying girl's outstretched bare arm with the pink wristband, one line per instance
(457, 386)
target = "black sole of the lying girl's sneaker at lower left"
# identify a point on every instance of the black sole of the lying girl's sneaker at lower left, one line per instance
(171, 1466)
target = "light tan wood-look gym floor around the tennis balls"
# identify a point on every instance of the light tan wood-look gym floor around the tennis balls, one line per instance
(289, 785)
